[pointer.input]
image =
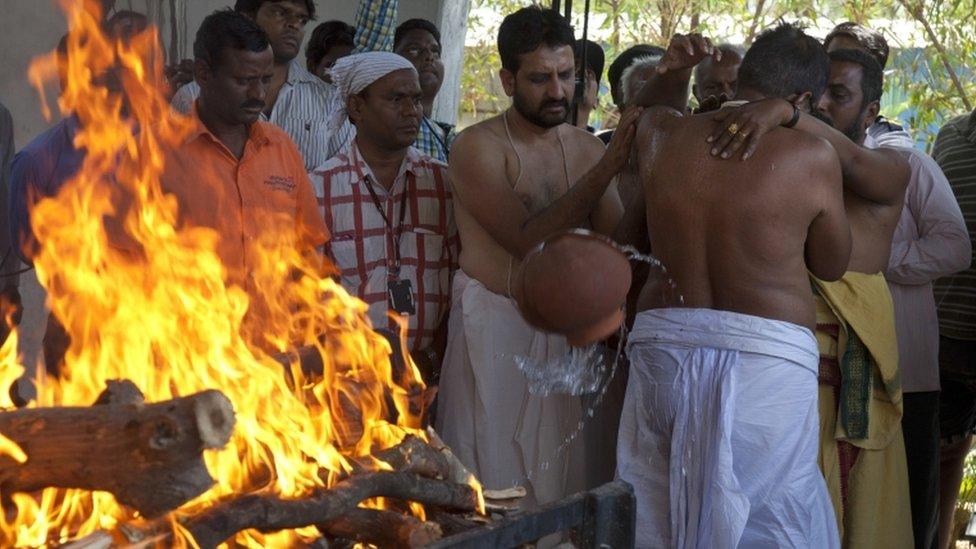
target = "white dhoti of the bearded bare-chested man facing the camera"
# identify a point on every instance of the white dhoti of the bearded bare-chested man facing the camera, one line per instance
(485, 412)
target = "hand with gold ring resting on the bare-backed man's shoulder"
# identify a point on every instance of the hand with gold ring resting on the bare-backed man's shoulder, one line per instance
(745, 126)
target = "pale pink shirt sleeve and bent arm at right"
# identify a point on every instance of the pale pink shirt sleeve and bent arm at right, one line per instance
(942, 247)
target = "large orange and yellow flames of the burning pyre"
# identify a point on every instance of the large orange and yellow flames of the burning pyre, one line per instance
(164, 317)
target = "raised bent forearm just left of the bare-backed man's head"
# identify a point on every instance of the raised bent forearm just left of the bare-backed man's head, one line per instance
(668, 86)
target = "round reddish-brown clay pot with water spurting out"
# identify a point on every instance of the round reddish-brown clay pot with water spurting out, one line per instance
(574, 284)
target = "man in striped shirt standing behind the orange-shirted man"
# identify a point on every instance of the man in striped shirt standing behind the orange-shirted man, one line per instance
(297, 101)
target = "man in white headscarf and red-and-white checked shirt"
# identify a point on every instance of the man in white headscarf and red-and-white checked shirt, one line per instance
(389, 205)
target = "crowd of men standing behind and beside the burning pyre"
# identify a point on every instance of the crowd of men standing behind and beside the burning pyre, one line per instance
(816, 389)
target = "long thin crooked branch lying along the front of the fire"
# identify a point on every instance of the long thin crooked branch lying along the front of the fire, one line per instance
(269, 513)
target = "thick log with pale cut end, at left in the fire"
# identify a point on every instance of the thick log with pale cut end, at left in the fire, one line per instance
(149, 456)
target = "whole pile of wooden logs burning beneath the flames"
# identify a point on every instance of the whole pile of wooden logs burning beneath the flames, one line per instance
(150, 457)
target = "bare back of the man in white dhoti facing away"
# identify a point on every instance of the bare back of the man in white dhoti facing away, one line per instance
(741, 237)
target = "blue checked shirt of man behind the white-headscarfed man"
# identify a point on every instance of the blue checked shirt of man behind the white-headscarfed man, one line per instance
(375, 30)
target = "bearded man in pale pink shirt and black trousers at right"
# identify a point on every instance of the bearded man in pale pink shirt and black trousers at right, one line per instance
(931, 241)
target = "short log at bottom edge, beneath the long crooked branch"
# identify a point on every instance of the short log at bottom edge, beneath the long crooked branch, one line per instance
(383, 529)
